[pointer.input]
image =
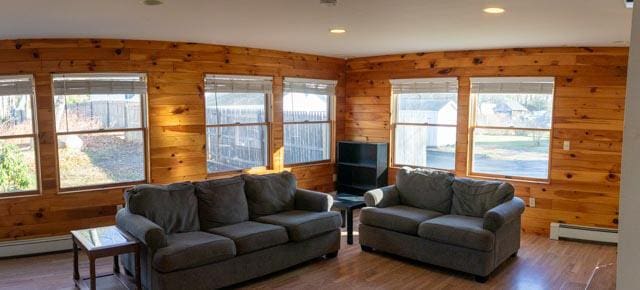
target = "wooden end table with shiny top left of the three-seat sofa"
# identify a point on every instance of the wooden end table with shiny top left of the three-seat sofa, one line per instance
(105, 242)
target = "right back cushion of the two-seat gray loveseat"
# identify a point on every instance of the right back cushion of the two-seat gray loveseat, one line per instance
(475, 197)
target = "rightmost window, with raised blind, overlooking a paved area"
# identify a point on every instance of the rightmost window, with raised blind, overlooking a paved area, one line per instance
(511, 126)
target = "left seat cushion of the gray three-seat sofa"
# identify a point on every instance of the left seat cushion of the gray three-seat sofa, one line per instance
(188, 250)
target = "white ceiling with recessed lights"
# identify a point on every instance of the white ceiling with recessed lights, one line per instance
(374, 26)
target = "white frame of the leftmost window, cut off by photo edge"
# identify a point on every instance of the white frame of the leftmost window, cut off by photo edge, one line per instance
(20, 90)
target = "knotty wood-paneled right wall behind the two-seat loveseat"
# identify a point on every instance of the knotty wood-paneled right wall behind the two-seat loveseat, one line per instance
(589, 104)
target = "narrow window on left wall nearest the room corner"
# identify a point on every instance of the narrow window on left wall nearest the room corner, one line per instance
(307, 119)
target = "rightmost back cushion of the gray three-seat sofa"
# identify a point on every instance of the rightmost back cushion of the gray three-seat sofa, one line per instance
(270, 193)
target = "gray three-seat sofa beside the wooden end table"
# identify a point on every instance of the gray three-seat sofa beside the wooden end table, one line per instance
(217, 233)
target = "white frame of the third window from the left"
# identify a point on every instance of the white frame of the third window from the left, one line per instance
(210, 85)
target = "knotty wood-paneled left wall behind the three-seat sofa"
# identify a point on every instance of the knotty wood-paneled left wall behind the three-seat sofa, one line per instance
(176, 117)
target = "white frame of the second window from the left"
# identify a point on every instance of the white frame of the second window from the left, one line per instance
(73, 83)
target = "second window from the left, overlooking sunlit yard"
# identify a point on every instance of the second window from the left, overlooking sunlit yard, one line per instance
(100, 124)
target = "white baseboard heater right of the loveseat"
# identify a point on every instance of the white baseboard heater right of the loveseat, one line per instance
(596, 234)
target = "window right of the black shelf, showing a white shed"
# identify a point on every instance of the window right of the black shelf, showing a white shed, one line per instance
(424, 123)
